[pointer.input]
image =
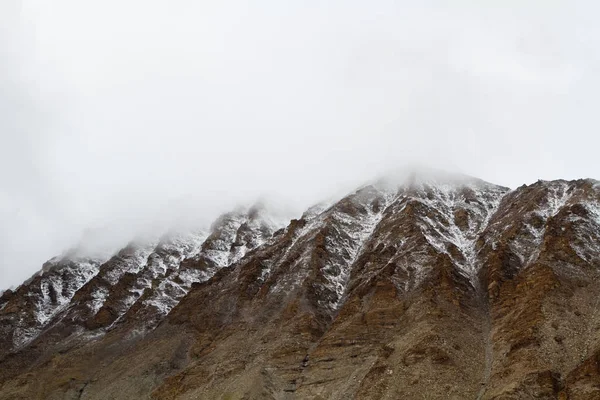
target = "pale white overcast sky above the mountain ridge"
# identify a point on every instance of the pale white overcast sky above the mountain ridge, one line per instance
(113, 113)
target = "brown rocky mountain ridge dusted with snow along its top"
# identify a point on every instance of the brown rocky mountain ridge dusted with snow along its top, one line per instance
(437, 287)
